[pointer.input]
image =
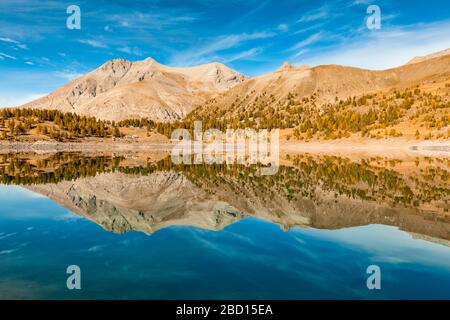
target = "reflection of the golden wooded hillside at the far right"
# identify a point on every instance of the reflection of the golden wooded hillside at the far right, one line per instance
(362, 180)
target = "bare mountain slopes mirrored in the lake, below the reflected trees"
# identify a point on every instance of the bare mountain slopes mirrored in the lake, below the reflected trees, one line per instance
(121, 203)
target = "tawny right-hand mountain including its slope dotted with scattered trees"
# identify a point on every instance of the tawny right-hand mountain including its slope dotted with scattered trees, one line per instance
(284, 99)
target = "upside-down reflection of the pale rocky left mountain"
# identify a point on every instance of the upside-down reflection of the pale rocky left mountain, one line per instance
(121, 203)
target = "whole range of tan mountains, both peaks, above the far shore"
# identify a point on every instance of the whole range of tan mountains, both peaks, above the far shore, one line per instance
(217, 95)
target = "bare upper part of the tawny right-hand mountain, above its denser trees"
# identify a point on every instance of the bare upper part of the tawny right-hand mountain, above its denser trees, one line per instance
(271, 95)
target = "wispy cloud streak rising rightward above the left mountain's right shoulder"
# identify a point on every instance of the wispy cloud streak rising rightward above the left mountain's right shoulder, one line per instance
(209, 51)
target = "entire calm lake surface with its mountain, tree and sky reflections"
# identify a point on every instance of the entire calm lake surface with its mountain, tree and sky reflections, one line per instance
(145, 230)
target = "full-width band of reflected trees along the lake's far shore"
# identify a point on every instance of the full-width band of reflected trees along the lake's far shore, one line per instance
(309, 177)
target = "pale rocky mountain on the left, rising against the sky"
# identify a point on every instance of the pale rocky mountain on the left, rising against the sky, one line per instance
(121, 89)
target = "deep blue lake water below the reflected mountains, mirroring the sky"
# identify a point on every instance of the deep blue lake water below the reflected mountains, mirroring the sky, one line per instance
(250, 259)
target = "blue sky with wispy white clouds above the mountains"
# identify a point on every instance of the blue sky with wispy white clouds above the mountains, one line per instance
(39, 54)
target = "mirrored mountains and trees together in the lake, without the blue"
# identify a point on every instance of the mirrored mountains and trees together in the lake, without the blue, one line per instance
(143, 193)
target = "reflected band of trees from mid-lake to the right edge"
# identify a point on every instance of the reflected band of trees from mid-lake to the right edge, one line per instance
(311, 176)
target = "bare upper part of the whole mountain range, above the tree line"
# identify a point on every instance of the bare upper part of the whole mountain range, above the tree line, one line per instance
(121, 89)
